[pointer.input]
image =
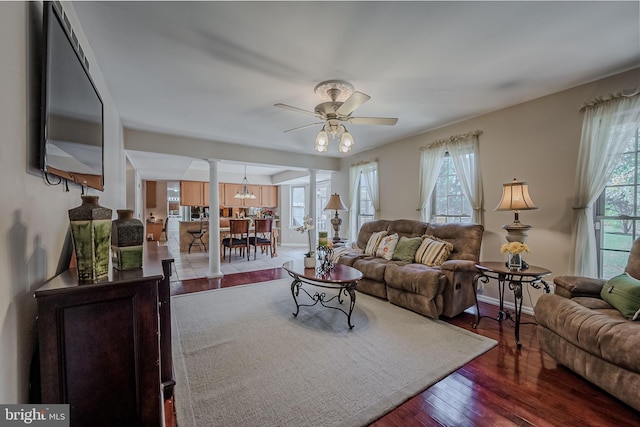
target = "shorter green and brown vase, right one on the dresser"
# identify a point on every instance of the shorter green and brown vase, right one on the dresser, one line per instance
(127, 239)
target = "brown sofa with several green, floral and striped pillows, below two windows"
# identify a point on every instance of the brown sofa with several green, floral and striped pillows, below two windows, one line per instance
(432, 291)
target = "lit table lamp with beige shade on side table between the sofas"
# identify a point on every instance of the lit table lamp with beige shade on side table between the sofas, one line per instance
(516, 198)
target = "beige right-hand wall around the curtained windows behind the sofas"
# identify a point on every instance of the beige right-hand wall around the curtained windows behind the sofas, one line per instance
(536, 141)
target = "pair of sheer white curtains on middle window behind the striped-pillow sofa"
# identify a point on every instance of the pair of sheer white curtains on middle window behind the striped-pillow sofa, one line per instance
(463, 150)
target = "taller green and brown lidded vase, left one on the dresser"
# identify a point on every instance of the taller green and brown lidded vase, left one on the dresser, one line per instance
(91, 232)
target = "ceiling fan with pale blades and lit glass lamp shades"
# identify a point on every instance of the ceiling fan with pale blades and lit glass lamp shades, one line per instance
(340, 101)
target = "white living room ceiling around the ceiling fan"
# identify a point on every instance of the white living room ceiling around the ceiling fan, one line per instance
(213, 70)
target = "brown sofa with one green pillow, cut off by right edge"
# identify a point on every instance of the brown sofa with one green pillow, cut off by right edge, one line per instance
(589, 336)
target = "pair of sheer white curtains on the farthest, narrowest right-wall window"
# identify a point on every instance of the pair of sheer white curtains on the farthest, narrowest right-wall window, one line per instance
(369, 171)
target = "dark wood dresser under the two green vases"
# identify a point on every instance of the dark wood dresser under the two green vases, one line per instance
(105, 348)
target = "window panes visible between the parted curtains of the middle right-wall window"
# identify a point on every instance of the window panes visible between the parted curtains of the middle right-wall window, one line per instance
(449, 204)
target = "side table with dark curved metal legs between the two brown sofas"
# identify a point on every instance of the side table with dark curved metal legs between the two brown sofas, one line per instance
(515, 279)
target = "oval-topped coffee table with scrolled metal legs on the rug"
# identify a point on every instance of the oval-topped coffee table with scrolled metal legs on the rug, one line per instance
(341, 278)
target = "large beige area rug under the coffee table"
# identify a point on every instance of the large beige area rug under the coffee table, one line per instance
(242, 359)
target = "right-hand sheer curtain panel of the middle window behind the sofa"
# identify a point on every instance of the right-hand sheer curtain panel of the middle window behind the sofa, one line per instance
(464, 155)
